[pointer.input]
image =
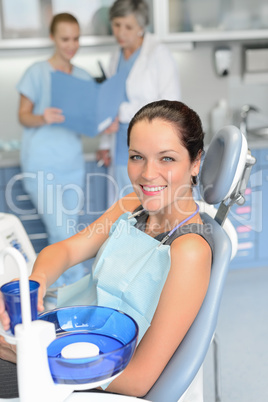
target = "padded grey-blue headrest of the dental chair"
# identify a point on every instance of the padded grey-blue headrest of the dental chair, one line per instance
(223, 165)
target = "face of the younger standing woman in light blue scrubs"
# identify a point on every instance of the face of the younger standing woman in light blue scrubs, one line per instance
(66, 40)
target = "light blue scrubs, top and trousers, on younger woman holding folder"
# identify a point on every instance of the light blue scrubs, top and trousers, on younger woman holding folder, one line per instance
(53, 164)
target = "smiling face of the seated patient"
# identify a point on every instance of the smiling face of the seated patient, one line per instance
(159, 166)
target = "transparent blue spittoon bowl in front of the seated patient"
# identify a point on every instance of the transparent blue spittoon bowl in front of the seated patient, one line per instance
(114, 332)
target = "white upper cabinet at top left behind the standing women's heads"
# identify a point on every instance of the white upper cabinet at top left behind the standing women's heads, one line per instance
(26, 24)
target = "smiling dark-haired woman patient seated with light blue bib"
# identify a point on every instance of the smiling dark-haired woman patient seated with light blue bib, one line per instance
(156, 261)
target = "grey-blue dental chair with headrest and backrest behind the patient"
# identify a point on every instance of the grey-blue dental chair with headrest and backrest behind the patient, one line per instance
(224, 176)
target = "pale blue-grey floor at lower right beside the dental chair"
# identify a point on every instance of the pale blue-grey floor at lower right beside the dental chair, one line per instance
(243, 339)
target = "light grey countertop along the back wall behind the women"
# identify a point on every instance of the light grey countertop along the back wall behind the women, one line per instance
(11, 158)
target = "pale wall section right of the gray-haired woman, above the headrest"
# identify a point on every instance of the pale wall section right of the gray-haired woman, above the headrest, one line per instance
(202, 88)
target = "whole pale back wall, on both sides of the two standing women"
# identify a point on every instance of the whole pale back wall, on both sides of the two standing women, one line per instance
(201, 87)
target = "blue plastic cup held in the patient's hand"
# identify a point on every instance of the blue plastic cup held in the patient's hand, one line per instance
(11, 293)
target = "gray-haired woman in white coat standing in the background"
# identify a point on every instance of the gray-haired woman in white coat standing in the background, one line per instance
(153, 75)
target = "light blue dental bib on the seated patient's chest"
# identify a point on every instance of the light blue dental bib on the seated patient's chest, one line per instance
(128, 274)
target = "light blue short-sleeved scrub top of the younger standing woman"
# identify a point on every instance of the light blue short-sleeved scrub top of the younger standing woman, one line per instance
(48, 148)
